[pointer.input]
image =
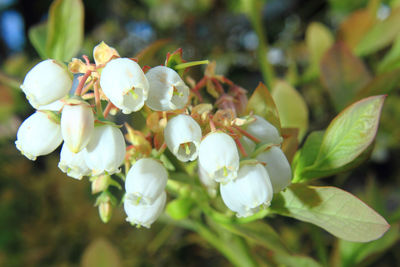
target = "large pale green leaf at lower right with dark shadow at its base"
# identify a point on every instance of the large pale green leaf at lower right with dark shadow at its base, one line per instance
(337, 211)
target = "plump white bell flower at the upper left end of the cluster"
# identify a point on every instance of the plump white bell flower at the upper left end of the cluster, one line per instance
(46, 82)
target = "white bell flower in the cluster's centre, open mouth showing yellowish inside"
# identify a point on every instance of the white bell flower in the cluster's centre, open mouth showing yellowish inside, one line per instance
(182, 136)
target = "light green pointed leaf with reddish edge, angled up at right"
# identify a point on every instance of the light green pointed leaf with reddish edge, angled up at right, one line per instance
(349, 134)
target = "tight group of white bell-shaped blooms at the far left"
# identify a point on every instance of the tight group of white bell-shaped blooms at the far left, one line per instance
(87, 150)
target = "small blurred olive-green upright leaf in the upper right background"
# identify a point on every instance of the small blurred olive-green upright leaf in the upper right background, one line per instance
(318, 40)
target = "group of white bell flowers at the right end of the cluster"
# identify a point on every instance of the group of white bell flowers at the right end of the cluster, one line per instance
(245, 189)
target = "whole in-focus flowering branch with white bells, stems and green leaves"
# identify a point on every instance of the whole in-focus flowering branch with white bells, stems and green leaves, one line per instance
(211, 157)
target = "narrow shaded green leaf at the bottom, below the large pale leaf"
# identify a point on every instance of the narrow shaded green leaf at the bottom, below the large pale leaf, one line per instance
(260, 233)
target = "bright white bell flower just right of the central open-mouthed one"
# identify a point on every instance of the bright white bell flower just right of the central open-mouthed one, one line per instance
(219, 157)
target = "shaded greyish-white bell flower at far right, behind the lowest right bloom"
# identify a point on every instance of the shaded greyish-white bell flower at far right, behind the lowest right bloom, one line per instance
(277, 166)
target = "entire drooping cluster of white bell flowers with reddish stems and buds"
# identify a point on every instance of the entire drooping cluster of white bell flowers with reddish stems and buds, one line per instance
(242, 154)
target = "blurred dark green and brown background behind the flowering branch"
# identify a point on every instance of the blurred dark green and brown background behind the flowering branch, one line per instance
(49, 219)
